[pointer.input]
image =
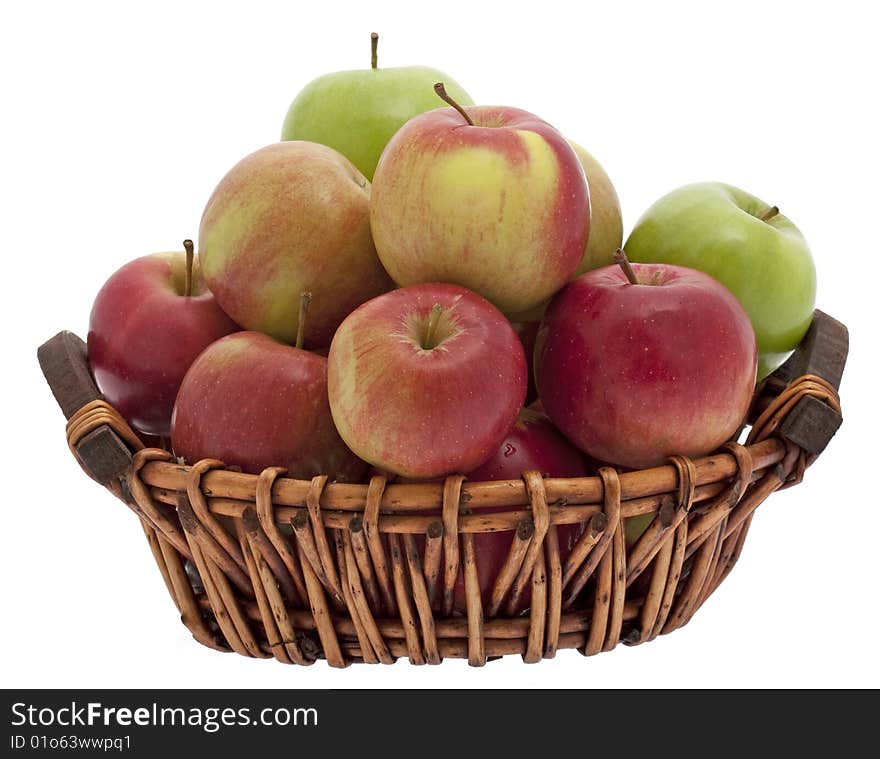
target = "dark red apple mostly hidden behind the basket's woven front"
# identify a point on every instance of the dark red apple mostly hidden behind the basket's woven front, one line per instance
(533, 443)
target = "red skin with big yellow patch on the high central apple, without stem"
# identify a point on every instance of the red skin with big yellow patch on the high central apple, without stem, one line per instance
(501, 207)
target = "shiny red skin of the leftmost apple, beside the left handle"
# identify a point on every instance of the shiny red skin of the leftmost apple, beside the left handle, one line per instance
(144, 333)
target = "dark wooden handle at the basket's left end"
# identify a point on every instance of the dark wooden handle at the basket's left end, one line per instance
(65, 366)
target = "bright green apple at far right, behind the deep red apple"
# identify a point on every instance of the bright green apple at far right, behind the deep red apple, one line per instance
(748, 246)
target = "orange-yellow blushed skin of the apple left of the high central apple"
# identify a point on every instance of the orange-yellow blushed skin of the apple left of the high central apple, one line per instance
(289, 218)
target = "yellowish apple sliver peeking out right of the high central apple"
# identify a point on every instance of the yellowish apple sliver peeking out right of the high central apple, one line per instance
(606, 223)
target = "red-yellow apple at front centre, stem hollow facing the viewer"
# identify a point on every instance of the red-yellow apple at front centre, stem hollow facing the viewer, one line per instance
(425, 381)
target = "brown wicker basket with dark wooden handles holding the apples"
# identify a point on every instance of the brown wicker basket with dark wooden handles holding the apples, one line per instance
(273, 567)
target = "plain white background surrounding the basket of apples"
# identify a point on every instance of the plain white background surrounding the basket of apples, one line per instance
(119, 119)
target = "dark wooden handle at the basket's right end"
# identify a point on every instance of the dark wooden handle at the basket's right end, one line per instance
(811, 423)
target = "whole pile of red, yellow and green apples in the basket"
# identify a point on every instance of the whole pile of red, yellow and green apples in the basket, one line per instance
(385, 289)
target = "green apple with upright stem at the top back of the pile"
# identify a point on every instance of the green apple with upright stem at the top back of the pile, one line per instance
(357, 112)
